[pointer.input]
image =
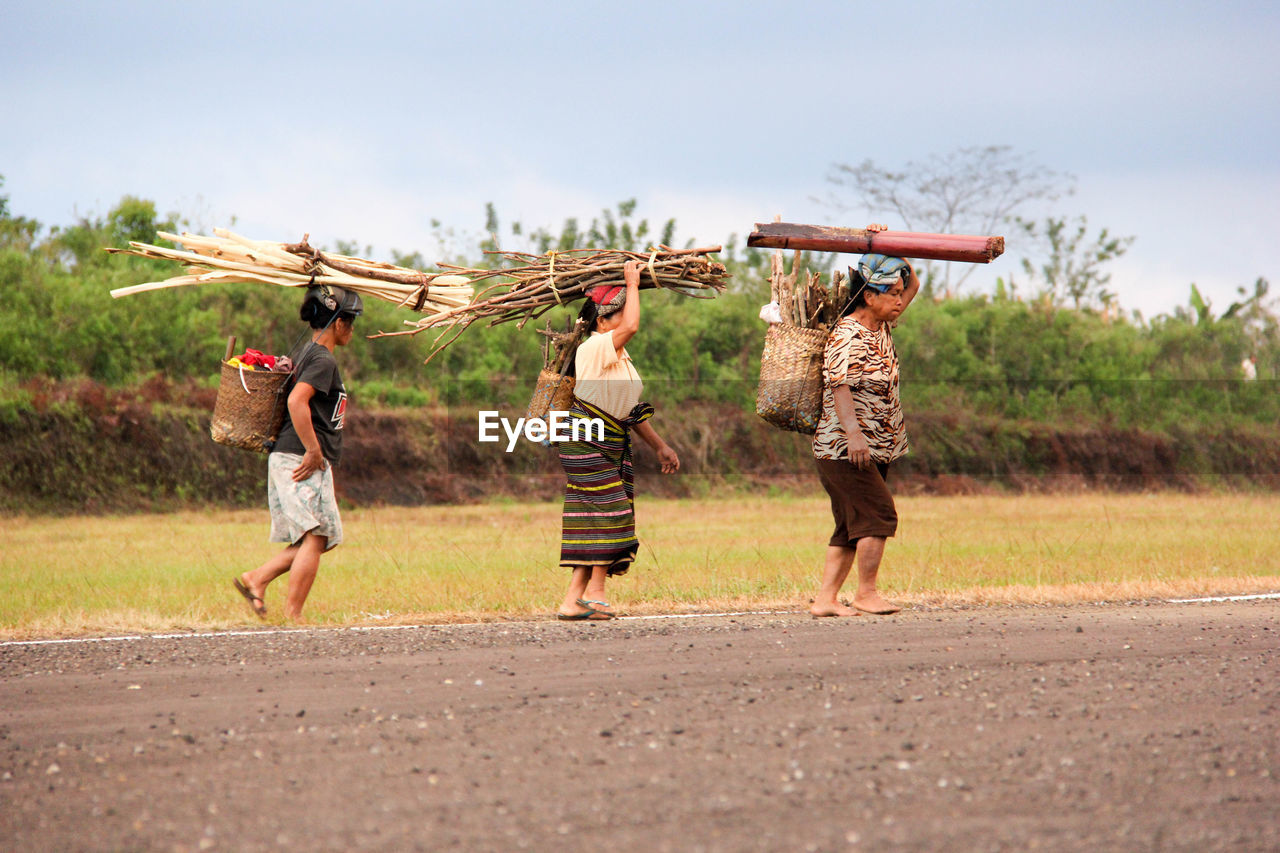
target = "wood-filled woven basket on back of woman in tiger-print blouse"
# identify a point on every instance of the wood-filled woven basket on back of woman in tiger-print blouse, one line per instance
(790, 391)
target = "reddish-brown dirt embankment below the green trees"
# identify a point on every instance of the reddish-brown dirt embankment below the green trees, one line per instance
(84, 449)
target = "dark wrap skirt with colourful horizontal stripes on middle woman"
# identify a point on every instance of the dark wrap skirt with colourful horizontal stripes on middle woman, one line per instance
(600, 524)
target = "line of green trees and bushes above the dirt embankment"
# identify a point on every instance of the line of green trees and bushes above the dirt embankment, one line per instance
(1063, 354)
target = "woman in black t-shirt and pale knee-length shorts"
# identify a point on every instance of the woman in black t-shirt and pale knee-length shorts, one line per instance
(300, 467)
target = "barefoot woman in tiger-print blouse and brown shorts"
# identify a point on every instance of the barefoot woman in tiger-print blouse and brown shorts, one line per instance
(862, 432)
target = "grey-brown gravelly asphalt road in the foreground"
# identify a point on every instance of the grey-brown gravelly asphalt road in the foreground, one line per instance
(1145, 727)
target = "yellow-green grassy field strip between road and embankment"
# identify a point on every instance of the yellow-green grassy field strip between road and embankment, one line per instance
(148, 573)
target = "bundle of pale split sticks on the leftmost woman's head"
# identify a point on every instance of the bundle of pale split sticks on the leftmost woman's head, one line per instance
(231, 258)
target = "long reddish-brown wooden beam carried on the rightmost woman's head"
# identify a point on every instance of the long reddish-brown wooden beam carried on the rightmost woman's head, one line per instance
(902, 244)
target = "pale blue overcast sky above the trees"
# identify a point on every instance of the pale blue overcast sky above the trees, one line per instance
(368, 121)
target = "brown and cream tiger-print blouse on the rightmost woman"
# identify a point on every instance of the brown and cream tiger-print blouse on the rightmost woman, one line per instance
(867, 363)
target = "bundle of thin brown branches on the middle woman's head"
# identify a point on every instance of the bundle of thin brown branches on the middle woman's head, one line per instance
(528, 286)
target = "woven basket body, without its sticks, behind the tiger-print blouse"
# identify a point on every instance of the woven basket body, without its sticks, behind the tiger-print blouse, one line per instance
(790, 391)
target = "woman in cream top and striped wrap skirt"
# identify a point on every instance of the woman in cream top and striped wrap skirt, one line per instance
(598, 536)
